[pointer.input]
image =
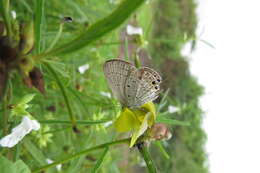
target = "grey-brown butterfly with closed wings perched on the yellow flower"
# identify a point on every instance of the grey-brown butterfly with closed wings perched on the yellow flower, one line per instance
(132, 86)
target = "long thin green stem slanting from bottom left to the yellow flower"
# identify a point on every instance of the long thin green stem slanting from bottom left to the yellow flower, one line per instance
(73, 156)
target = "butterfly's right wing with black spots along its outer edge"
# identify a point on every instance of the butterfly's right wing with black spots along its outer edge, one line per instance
(142, 86)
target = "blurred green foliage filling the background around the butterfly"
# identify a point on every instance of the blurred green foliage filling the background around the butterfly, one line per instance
(171, 25)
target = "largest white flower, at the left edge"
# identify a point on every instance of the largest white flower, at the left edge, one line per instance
(17, 134)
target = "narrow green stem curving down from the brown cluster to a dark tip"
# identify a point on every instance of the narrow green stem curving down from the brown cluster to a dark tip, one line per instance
(72, 118)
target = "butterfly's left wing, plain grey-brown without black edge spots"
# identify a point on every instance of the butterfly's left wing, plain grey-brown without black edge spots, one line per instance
(116, 72)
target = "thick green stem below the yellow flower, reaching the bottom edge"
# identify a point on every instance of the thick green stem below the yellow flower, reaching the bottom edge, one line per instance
(147, 158)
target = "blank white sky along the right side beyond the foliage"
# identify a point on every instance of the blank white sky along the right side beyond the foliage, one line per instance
(230, 73)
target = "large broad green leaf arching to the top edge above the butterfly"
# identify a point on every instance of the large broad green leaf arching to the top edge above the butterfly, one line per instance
(100, 28)
